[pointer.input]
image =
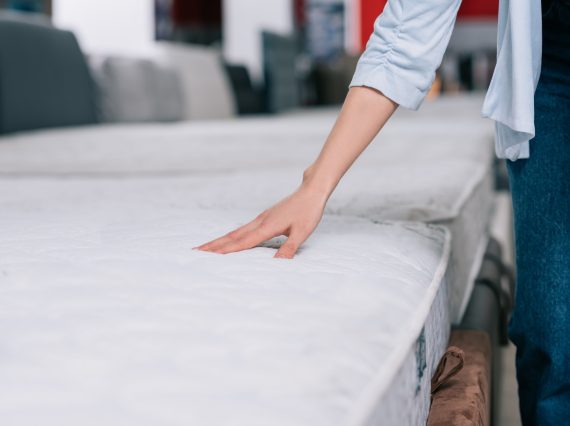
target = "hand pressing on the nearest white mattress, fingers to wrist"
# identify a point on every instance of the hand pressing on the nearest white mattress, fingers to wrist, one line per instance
(296, 216)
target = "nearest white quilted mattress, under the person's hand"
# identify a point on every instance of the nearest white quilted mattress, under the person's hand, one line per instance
(108, 317)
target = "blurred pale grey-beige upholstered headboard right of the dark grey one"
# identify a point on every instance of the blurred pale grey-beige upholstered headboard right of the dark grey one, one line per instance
(180, 82)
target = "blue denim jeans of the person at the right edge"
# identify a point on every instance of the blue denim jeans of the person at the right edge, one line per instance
(540, 185)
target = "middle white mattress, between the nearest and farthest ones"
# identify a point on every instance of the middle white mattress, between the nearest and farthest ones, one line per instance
(418, 192)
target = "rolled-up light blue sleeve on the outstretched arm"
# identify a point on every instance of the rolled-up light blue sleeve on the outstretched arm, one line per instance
(405, 49)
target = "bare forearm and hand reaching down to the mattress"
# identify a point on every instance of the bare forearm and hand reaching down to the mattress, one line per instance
(363, 114)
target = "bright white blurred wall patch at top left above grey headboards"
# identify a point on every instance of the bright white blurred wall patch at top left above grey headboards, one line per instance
(108, 26)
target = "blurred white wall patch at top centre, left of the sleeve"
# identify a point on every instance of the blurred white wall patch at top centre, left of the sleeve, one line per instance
(243, 22)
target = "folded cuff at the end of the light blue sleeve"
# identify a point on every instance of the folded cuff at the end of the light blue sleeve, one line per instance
(387, 81)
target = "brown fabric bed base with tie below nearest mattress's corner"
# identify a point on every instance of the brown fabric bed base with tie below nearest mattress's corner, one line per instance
(461, 393)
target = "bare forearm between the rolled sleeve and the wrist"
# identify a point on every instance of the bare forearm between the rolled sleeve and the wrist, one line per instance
(364, 113)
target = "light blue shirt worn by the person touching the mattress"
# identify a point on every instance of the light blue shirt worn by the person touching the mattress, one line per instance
(407, 46)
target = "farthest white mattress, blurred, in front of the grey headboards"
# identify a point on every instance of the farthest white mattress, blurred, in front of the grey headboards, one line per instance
(288, 141)
